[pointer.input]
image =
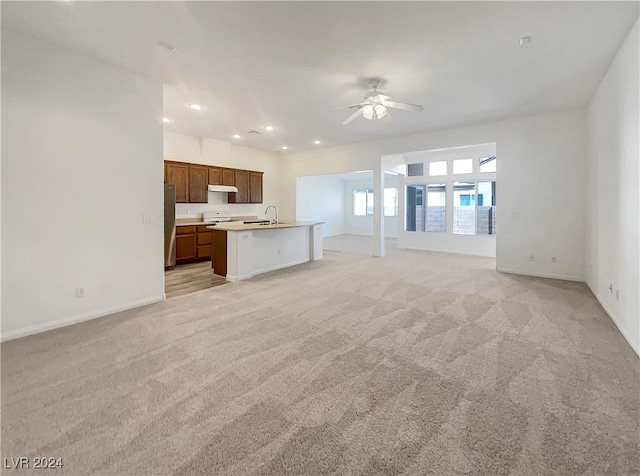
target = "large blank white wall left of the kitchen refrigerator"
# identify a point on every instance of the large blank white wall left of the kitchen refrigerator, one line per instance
(82, 163)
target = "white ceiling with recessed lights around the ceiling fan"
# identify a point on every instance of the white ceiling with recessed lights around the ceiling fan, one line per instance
(288, 64)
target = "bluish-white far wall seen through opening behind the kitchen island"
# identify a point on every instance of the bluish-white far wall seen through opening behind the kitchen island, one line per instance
(321, 198)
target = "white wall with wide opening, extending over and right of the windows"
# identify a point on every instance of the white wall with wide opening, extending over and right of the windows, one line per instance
(543, 153)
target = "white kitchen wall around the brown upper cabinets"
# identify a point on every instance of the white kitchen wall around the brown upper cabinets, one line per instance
(198, 150)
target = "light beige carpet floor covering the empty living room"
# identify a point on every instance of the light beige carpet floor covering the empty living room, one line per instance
(416, 363)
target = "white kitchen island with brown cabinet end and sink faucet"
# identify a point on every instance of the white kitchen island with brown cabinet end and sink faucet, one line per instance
(241, 251)
